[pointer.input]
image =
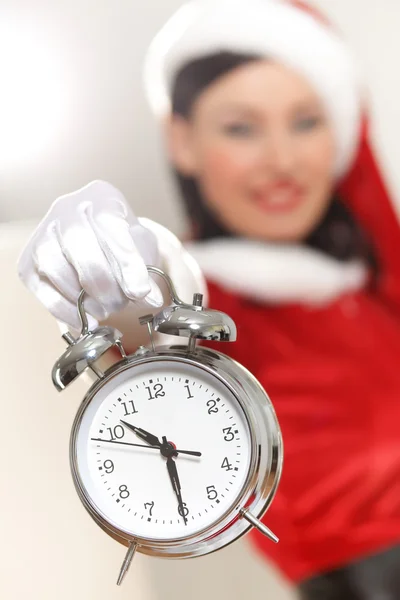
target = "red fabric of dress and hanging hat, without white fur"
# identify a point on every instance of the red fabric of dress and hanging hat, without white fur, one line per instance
(333, 375)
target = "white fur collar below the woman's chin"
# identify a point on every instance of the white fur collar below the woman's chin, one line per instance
(277, 274)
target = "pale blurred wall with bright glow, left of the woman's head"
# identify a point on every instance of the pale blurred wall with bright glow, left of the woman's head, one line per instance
(106, 130)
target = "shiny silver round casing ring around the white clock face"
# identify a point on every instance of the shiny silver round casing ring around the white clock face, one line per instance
(265, 464)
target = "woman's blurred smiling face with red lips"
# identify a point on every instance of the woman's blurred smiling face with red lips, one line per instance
(262, 151)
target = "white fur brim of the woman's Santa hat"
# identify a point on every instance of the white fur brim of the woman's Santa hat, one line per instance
(271, 28)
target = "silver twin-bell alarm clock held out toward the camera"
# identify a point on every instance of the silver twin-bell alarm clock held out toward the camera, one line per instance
(175, 450)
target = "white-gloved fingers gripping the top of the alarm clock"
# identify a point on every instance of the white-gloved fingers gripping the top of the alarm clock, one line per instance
(90, 239)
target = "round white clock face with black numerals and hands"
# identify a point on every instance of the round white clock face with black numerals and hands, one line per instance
(163, 450)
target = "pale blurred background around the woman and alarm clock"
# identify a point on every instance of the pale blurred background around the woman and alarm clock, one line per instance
(72, 109)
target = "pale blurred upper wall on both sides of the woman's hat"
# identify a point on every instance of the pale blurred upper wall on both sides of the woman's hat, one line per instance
(105, 129)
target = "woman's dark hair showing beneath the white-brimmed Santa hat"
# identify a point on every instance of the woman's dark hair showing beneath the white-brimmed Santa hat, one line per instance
(338, 234)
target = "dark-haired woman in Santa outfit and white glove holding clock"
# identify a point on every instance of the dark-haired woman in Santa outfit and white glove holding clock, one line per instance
(296, 236)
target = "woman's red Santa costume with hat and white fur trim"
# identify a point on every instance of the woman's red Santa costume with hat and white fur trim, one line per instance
(318, 334)
